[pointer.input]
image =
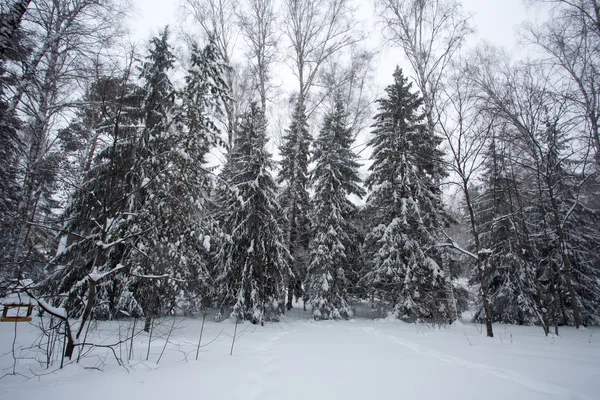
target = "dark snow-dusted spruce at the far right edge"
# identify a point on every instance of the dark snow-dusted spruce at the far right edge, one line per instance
(566, 229)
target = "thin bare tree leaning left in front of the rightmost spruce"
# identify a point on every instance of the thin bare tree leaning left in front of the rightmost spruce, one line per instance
(524, 96)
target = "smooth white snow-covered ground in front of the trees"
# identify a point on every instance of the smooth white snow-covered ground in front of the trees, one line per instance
(306, 360)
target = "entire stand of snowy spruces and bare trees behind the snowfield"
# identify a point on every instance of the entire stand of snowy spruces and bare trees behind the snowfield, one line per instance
(111, 206)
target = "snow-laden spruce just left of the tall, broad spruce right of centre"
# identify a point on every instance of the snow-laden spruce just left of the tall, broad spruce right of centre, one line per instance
(334, 178)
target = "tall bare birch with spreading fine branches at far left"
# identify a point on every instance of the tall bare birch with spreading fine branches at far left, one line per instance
(59, 38)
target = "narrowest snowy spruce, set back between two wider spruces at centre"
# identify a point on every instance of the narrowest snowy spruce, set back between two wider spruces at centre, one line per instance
(294, 197)
